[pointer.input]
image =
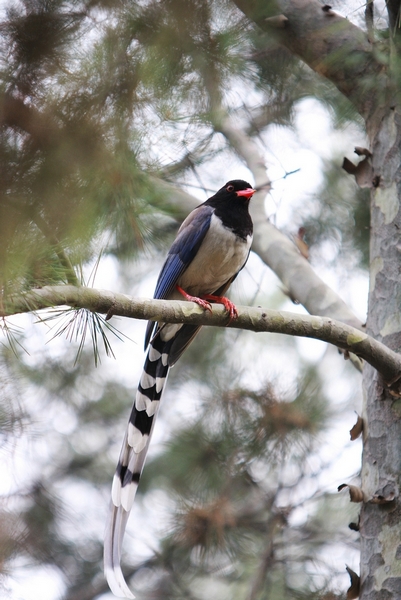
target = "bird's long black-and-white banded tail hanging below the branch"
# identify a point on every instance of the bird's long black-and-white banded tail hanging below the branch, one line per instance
(132, 458)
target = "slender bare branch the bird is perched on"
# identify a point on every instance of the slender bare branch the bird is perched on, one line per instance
(387, 362)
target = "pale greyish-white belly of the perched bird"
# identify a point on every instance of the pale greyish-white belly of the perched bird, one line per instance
(221, 255)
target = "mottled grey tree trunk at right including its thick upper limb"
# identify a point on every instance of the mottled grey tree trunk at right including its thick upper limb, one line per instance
(341, 52)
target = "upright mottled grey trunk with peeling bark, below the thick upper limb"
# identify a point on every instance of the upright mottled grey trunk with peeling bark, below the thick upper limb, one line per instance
(380, 525)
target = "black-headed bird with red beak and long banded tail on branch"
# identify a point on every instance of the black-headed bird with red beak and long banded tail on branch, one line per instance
(211, 247)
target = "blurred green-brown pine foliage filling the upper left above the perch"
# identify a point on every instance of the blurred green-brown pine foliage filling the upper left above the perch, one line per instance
(98, 97)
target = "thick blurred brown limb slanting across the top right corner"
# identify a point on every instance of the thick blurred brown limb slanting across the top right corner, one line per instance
(330, 44)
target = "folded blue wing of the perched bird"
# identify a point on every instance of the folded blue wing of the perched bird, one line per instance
(180, 255)
